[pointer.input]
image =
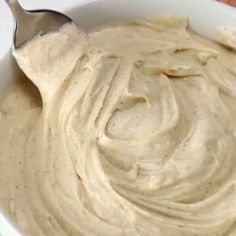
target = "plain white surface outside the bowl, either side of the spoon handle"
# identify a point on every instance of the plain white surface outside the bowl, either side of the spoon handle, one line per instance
(6, 20)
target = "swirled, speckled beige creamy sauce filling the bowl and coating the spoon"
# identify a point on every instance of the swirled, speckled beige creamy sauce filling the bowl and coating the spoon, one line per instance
(135, 133)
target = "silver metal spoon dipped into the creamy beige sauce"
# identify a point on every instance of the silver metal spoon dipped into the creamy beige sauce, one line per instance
(28, 24)
